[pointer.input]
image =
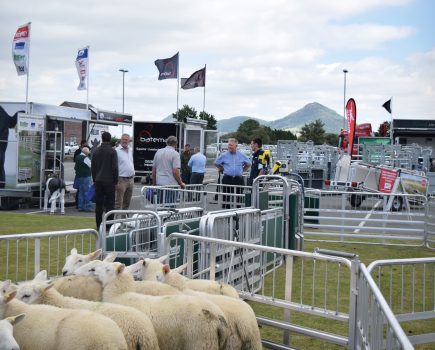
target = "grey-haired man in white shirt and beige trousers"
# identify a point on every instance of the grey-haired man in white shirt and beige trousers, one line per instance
(124, 188)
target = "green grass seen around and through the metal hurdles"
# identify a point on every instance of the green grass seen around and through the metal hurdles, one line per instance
(12, 223)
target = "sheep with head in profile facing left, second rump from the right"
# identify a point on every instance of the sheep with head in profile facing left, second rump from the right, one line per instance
(180, 321)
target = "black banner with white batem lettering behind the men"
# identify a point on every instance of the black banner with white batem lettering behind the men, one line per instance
(148, 137)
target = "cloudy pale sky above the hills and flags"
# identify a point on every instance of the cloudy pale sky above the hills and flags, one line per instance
(265, 59)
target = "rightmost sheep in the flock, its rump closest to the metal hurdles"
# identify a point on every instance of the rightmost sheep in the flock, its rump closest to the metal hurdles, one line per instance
(242, 322)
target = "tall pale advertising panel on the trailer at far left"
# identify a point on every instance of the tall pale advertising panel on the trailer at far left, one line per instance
(30, 129)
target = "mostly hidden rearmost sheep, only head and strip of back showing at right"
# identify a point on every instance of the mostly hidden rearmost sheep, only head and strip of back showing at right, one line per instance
(153, 268)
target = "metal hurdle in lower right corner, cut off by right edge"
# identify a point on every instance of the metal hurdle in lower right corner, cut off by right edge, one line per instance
(408, 285)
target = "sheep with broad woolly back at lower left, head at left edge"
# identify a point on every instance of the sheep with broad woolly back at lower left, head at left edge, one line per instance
(50, 328)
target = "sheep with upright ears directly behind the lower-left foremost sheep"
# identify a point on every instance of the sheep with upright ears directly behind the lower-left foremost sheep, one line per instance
(136, 327)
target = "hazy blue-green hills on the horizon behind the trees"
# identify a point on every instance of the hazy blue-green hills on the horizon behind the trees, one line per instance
(294, 121)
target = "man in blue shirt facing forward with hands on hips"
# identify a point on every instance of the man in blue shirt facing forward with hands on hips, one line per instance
(232, 164)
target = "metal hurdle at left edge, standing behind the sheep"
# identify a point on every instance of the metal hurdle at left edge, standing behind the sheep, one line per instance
(23, 255)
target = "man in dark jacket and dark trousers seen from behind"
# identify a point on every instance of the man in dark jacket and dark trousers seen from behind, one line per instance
(104, 168)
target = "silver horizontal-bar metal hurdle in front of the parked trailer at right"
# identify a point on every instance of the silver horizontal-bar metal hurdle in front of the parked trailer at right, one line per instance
(335, 217)
